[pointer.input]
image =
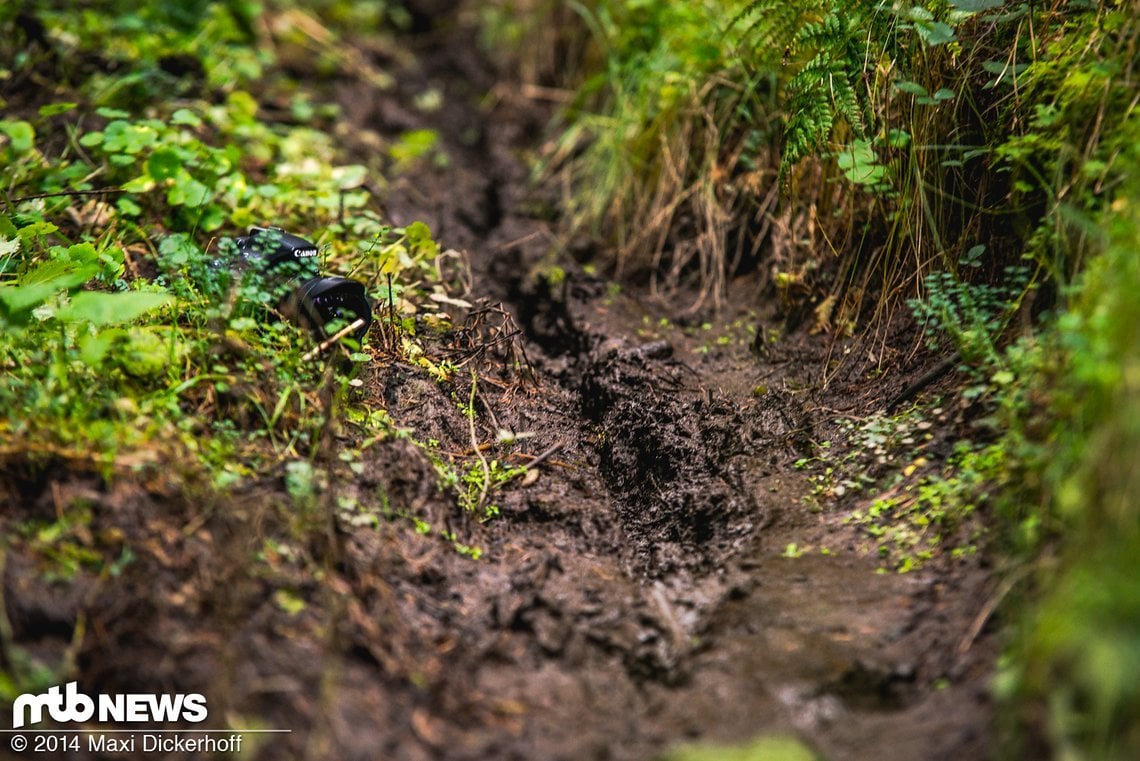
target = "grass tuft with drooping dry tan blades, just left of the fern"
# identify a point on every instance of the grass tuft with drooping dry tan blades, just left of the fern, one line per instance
(644, 140)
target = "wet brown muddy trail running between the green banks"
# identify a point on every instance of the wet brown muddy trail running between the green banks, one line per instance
(634, 596)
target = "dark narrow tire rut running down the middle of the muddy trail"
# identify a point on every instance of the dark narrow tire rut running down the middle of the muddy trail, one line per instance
(665, 453)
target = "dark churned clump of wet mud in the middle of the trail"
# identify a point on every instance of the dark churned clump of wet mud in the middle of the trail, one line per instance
(664, 459)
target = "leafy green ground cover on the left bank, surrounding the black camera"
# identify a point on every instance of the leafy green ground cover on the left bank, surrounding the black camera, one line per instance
(137, 143)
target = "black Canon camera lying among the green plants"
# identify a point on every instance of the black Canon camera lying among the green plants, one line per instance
(288, 267)
